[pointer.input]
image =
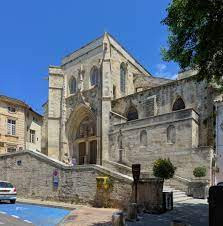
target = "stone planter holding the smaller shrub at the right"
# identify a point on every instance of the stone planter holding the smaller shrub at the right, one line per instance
(198, 189)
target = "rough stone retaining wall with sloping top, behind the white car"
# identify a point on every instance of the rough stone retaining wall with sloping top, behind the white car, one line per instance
(32, 174)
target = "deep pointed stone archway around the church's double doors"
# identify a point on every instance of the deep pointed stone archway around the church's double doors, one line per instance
(81, 130)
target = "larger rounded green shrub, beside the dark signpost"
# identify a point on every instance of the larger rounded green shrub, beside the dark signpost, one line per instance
(163, 168)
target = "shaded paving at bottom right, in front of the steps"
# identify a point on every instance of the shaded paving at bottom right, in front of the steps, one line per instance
(193, 212)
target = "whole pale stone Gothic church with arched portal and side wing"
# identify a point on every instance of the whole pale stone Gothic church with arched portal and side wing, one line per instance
(105, 108)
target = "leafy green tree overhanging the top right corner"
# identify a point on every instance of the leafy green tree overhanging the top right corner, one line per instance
(195, 38)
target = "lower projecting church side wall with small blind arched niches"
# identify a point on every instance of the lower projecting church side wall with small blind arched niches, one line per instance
(183, 151)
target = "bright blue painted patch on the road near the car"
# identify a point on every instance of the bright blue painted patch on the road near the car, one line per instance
(38, 215)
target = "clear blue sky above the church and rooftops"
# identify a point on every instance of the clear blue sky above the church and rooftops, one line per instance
(36, 34)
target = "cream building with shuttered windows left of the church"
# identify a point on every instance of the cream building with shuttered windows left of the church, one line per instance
(20, 126)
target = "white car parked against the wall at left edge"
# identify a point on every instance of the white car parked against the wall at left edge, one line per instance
(7, 192)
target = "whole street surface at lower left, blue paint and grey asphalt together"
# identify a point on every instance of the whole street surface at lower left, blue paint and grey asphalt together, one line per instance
(27, 214)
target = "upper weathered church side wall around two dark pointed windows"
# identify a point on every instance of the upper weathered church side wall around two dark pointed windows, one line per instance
(196, 95)
